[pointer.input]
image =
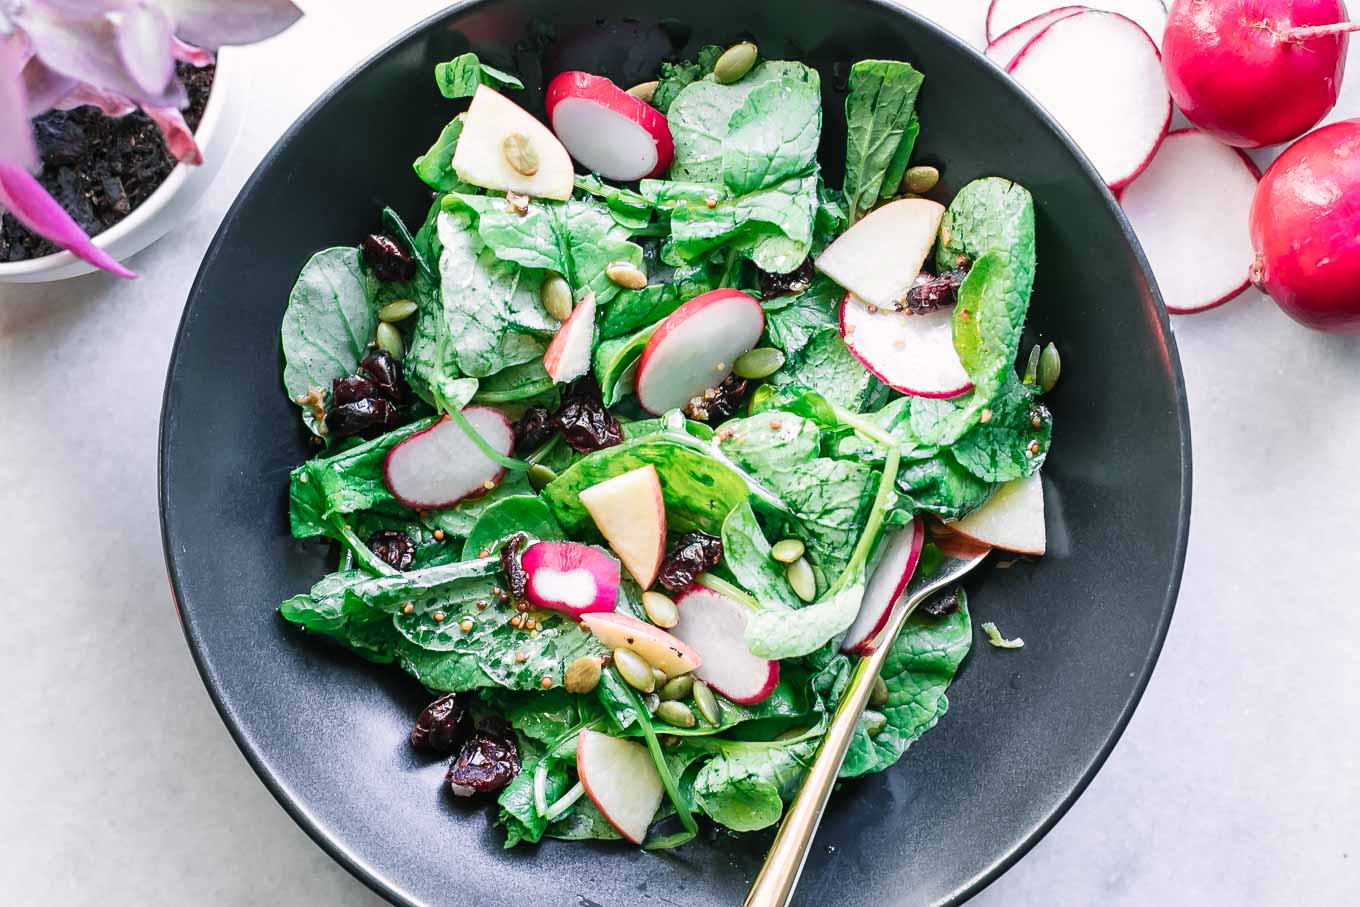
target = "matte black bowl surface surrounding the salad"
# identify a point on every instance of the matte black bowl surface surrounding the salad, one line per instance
(1026, 732)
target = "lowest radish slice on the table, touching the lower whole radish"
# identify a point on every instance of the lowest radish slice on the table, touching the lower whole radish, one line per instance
(1191, 210)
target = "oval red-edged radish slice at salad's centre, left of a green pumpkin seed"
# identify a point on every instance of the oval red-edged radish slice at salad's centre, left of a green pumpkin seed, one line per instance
(694, 349)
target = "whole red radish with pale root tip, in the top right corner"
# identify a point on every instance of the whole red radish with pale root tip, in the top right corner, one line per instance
(1256, 73)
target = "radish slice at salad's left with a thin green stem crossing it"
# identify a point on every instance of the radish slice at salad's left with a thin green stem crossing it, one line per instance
(443, 466)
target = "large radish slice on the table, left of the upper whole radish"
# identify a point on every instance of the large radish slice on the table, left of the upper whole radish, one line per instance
(1100, 75)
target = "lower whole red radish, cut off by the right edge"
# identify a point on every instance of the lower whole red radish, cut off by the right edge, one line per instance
(1306, 229)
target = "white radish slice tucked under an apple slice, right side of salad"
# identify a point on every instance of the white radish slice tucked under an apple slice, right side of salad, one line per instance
(913, 354)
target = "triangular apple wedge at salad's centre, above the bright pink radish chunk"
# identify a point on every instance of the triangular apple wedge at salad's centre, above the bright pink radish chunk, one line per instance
(632, 515)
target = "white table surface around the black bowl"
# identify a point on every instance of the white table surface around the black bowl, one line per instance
(1238, 781)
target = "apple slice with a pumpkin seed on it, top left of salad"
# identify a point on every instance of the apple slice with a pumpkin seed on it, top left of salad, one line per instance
(481, 156)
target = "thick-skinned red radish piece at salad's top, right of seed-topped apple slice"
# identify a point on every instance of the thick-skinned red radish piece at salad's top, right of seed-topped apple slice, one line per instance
(607, 130)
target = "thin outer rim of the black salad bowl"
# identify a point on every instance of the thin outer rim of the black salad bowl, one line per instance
(354, 863)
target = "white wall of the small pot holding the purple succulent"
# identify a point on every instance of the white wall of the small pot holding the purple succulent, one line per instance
(173, 199)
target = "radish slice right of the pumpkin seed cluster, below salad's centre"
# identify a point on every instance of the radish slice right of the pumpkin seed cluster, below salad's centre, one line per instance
(716, 626)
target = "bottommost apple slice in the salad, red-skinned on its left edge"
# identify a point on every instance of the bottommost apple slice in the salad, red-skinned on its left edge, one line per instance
(621, 781)
